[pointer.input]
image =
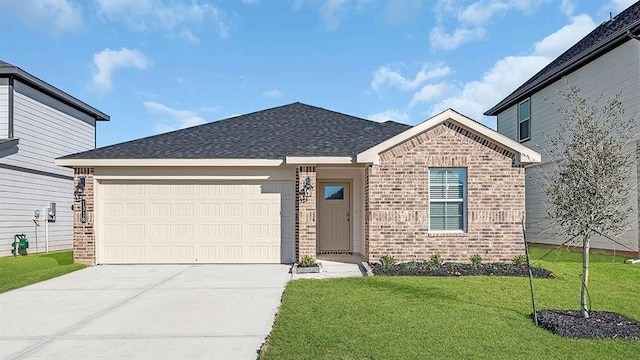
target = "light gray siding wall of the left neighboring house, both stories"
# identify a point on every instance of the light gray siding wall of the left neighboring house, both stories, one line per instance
(29, 178)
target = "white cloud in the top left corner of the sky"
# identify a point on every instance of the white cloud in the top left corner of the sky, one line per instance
(58, 16)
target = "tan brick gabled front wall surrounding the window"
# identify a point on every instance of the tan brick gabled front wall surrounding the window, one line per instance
(397, 193)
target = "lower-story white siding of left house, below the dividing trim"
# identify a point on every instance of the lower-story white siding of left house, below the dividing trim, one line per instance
(22, 193)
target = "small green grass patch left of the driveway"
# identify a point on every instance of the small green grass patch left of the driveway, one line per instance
(19, 271)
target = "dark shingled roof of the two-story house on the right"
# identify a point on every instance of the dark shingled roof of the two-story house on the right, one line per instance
(605, 37)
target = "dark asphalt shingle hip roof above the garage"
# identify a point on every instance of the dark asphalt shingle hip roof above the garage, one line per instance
(291, 130)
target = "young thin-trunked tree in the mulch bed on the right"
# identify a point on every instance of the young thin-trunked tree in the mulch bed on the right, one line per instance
(589, 190)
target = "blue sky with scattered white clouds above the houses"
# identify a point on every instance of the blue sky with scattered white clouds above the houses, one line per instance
(161, 65)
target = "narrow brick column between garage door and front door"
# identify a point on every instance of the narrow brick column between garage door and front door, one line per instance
(306, 213)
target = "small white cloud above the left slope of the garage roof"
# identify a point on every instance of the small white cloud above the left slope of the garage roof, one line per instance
(107, 61)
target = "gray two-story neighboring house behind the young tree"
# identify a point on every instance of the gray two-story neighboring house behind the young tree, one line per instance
(604, 63)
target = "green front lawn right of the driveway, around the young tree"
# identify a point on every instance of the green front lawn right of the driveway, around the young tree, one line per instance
(461, 318)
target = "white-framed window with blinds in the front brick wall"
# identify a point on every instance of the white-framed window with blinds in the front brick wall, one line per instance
(447, 193)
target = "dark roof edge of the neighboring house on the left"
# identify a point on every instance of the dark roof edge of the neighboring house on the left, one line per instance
(7, 70)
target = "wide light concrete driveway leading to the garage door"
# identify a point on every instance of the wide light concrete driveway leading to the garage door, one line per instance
(143, 312)
